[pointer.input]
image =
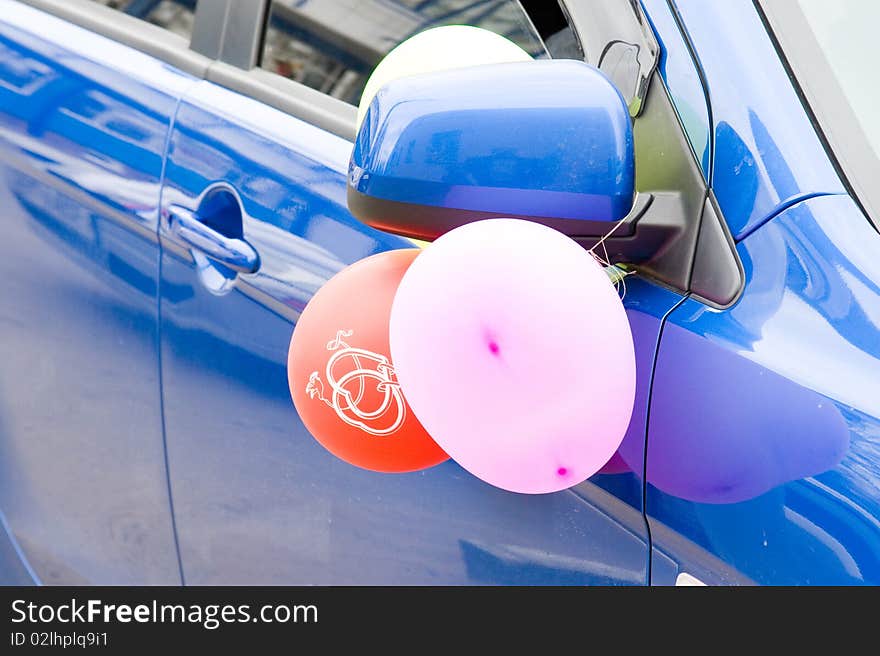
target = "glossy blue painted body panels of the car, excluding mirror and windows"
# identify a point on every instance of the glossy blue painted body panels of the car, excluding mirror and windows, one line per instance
(762, 421)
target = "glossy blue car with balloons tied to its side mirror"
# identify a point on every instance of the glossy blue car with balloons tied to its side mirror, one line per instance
(175, 186)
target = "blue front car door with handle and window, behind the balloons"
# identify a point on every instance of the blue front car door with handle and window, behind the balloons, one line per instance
(256, 499)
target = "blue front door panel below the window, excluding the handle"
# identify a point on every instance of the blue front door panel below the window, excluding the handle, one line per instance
(257, 499)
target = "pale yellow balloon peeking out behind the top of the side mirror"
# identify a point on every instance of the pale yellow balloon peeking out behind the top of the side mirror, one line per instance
(440, 49)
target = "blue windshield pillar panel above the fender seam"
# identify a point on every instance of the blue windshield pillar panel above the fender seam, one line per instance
(766, 152)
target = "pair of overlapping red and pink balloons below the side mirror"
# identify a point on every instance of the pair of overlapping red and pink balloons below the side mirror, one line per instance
(503, 344)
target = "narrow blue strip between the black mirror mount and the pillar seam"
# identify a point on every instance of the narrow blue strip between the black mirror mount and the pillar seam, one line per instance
(682, 78)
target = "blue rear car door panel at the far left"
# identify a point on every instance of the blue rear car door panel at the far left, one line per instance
(83, 126)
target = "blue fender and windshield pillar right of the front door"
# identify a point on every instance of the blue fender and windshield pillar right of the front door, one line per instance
(765, 423)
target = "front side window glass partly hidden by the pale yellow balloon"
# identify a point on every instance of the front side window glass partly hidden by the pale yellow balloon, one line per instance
(333, 45)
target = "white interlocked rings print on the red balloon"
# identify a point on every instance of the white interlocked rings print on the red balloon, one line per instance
(365, 392)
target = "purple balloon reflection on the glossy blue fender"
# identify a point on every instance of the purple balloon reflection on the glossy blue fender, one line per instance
(725, 429)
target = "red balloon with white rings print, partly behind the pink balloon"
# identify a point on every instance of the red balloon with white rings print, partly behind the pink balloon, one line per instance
(340, 373)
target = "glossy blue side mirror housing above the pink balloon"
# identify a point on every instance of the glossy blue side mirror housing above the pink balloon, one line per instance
(548, 141)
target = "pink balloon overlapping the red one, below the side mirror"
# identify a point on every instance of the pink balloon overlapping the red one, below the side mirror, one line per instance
(512, 348)
